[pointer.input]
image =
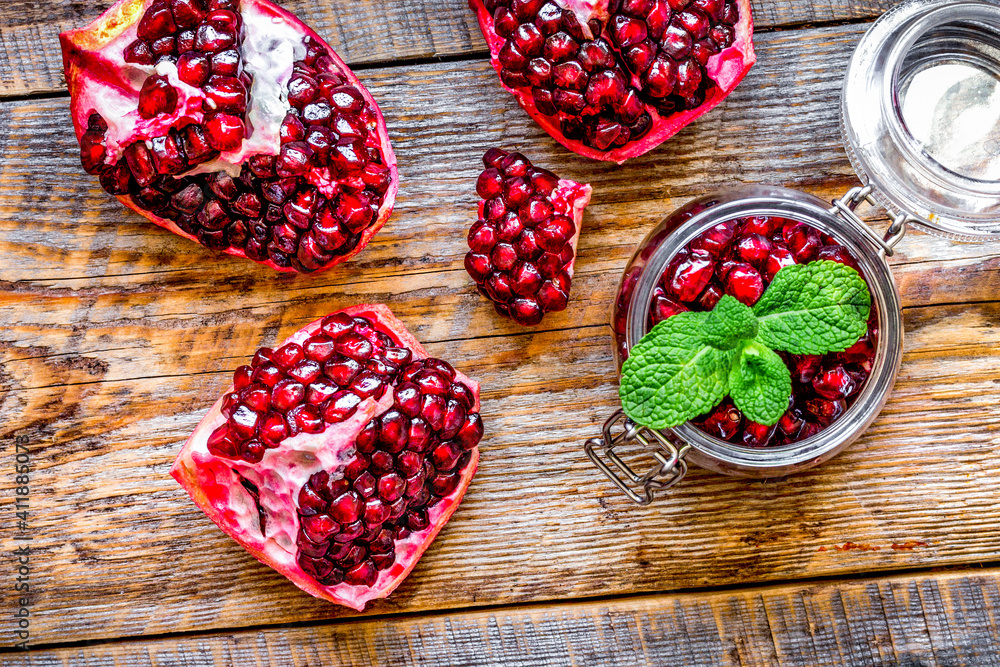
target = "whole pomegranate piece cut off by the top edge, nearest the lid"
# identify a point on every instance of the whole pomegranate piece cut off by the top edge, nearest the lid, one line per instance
(613, 79)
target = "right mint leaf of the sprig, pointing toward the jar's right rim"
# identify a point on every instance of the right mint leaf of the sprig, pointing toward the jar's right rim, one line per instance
(813, 308)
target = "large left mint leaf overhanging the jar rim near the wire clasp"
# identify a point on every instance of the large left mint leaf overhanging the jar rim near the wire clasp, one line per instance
(672, 375)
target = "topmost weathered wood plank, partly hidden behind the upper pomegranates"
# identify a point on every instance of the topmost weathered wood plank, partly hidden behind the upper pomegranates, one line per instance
(363, 33)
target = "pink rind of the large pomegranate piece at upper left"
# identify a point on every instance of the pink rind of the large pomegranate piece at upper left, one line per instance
(95, 67)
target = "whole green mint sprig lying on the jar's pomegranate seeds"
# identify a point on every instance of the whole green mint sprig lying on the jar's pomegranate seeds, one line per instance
(688, 363)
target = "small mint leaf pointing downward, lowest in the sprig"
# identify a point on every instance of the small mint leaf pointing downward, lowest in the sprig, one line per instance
(760, 384)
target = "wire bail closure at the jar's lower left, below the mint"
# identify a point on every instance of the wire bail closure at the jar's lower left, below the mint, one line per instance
(671, 466)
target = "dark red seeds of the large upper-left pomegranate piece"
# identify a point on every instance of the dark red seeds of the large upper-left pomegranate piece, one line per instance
(273, 211)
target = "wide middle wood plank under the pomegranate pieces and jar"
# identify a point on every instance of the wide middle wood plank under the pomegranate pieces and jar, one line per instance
(117, 336)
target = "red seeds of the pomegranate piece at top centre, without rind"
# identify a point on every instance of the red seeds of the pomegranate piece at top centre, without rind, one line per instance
(599, 81)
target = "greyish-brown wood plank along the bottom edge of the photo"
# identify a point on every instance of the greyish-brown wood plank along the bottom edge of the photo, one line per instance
(948, 620)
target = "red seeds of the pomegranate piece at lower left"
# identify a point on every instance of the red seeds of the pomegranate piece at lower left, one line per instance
(406, 459)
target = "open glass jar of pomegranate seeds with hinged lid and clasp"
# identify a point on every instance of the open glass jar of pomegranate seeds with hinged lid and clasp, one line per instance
(920, 115)
